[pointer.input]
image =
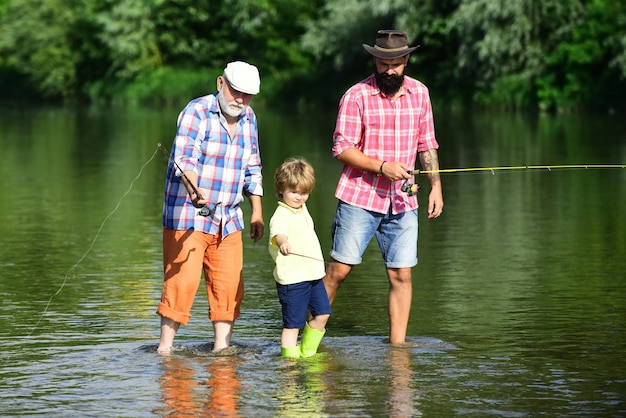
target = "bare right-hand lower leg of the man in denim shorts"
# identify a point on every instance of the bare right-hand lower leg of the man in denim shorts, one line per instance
(400, 295)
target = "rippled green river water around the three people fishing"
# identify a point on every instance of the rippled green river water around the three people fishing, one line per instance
(519, 297)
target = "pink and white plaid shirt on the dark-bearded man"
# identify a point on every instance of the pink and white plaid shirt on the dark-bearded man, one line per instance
(386, 130)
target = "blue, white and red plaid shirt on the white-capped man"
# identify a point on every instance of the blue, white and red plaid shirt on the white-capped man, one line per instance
(227, 168)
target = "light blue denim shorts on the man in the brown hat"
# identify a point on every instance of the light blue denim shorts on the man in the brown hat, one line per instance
(353, 228)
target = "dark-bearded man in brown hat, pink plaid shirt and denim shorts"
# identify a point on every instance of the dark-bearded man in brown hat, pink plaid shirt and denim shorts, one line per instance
(384, 124)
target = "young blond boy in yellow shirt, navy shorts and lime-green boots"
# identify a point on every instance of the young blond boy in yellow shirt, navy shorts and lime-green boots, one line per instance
(295, 248)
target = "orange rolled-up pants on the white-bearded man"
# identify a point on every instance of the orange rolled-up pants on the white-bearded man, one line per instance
(185, 255)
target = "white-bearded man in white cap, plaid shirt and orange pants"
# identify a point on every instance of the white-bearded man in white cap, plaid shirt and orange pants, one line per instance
(214, 162)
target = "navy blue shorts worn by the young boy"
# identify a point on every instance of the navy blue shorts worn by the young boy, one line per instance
(297, 298)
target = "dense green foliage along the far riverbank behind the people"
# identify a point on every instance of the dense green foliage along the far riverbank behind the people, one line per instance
(548, 54)
